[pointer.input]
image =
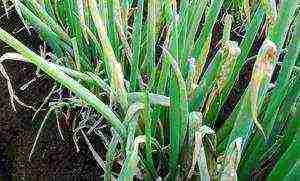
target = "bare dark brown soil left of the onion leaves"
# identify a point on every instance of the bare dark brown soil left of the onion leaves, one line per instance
(53, 157)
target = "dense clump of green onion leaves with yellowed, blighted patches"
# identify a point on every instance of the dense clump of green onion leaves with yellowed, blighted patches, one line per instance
(151, 72)
